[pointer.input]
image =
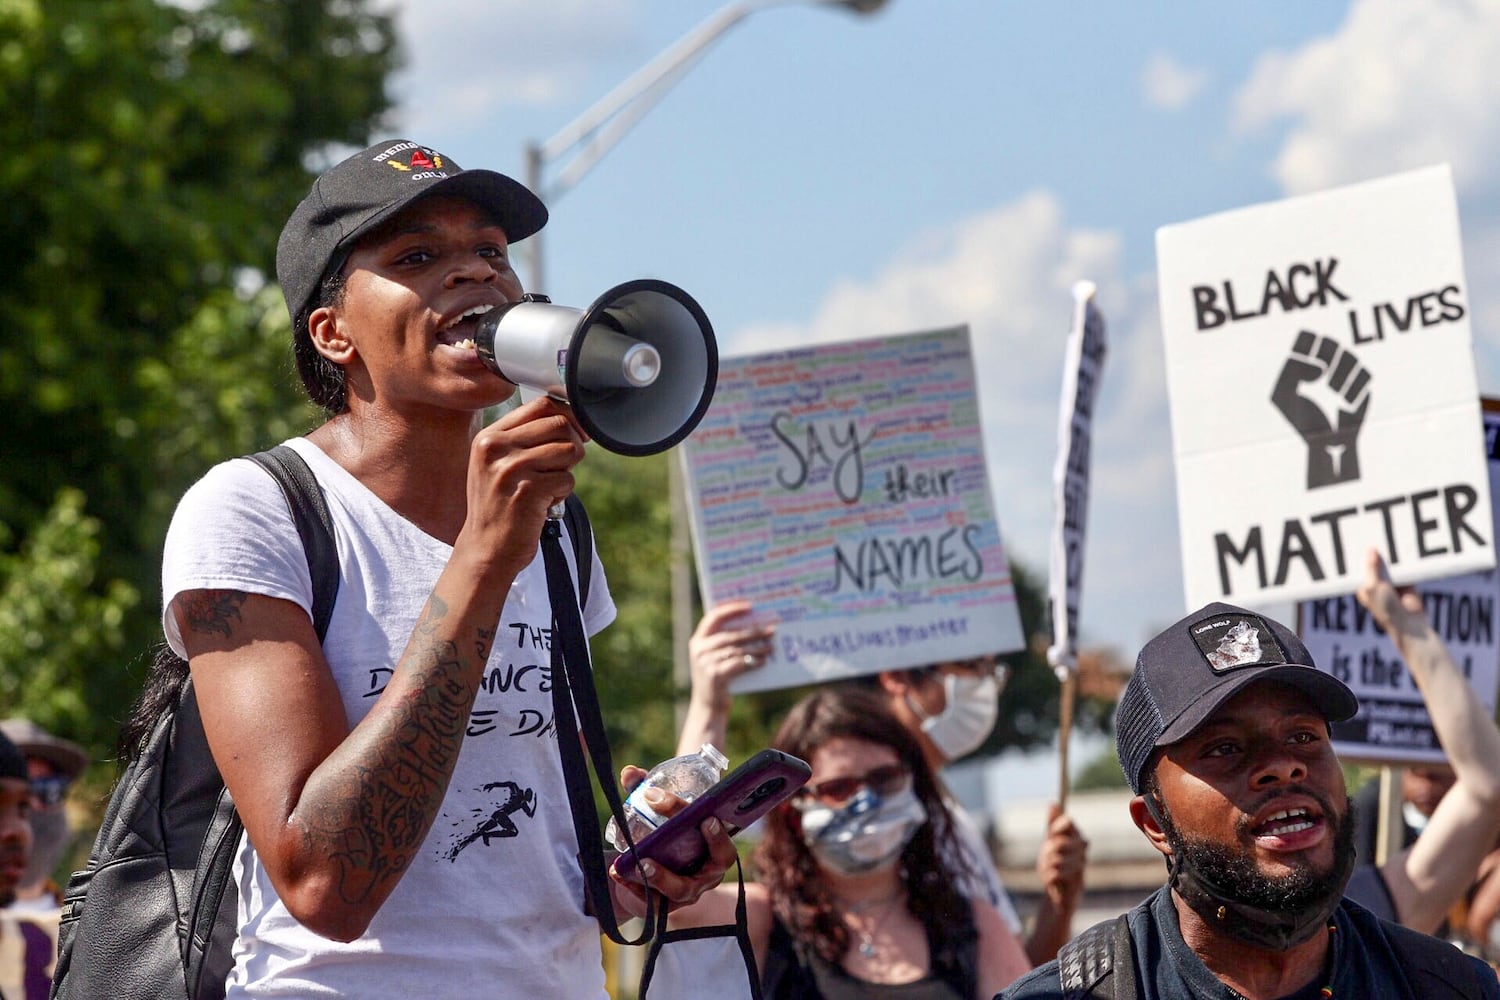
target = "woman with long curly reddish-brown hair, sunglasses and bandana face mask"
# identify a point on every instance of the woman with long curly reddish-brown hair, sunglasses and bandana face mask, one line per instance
(856, 897)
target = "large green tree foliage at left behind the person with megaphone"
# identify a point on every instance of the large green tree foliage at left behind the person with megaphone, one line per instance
(158, 151)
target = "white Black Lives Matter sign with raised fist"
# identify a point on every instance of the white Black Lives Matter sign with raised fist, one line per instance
(1324, 398)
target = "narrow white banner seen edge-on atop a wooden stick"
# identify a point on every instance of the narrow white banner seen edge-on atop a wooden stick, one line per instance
(1082, 368)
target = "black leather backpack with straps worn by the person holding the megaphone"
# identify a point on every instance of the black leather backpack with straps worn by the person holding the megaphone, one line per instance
(155, 912)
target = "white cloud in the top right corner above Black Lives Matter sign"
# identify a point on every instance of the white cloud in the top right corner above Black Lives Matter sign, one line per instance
(1397, 86)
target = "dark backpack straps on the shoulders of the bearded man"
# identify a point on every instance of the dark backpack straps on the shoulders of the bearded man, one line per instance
(1433, 968)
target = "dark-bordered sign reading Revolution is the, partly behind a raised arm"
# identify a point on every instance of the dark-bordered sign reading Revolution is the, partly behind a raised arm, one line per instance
(1393, 725)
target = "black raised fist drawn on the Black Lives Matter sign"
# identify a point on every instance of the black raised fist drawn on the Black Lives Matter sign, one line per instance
(1325, 392)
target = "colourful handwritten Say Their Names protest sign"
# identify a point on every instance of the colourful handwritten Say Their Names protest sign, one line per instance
(842, 490)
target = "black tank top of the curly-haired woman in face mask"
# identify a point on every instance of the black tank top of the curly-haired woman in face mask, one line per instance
(796, 972)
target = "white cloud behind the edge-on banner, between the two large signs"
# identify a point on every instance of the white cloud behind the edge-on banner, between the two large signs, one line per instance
(1009, 275)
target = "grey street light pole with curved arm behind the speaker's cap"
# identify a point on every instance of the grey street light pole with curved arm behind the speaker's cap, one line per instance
(595, 133)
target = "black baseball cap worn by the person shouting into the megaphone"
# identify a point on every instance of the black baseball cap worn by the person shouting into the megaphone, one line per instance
(370, 188)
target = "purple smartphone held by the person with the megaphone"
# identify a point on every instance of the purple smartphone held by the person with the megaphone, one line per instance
(740, 798)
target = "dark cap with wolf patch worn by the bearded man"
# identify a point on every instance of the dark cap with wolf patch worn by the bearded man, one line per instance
(1195, 666)
